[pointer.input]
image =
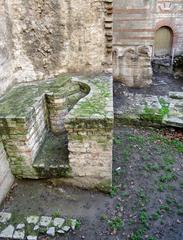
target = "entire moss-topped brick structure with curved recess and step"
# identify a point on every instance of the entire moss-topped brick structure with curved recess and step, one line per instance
(33, 116)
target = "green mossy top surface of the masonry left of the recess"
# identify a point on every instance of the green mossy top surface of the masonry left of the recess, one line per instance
(19, 100)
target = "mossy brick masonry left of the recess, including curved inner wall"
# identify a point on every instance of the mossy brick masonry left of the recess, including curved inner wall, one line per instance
(27, 112)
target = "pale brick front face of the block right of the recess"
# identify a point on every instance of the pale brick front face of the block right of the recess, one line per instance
(90, 154)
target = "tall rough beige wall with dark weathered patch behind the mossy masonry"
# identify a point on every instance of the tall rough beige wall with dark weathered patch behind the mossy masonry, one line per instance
(40, 39)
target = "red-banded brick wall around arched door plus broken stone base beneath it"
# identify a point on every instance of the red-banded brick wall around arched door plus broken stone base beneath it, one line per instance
(134, 25)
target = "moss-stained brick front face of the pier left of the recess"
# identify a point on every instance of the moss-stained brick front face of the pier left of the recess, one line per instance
(18, 148)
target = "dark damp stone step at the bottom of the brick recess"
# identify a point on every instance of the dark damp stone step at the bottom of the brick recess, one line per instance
(52, 159)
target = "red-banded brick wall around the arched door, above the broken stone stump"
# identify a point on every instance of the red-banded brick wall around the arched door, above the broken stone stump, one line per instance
(135, 22)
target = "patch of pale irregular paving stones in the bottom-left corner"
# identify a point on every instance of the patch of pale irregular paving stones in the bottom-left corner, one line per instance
(31, 227)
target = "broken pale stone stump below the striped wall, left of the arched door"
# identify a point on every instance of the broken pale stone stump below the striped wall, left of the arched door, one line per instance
(132, 65)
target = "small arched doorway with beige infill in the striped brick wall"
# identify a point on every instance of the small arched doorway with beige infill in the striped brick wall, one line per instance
(163, 42)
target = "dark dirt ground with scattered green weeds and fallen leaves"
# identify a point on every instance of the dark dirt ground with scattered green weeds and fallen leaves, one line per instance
(146, 201)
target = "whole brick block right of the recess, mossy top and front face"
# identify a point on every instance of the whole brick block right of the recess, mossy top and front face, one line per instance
(90, 135)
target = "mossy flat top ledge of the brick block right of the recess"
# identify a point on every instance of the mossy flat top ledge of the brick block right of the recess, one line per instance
(96, 109)
